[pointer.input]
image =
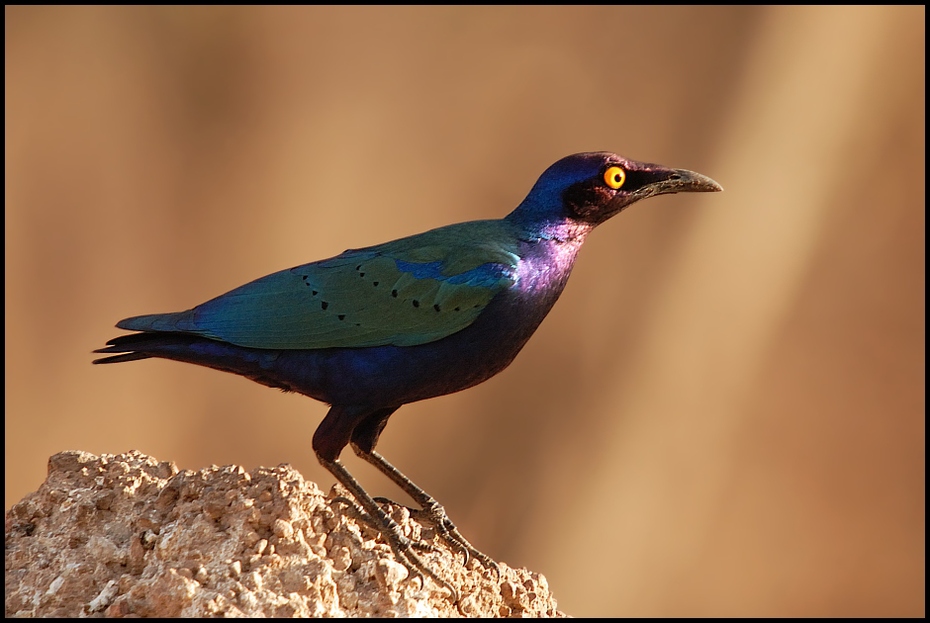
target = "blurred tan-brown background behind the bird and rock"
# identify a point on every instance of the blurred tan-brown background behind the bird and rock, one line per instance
(724, 415)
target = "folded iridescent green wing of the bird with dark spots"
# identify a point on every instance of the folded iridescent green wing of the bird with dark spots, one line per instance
(406, 292)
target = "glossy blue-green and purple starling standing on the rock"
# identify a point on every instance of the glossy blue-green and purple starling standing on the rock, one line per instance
(375, 328)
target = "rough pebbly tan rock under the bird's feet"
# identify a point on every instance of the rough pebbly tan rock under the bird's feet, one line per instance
(124, 535)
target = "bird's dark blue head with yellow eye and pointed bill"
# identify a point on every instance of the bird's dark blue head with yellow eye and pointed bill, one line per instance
(589, 188)
